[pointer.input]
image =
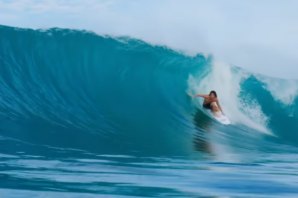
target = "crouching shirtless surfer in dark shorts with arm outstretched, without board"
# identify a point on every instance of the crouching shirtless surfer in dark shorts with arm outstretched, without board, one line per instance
(211, 102)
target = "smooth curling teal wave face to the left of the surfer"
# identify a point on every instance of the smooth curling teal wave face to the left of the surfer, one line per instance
(79, 90)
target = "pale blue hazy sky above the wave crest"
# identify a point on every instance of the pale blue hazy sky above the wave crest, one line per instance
(258, 35)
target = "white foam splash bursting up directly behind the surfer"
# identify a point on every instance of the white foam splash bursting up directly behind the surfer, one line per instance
(227, 83)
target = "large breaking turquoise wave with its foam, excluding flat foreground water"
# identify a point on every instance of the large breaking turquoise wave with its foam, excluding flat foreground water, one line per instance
(75, 89)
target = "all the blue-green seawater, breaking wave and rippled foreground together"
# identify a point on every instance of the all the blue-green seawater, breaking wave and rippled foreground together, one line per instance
(85, 115)
